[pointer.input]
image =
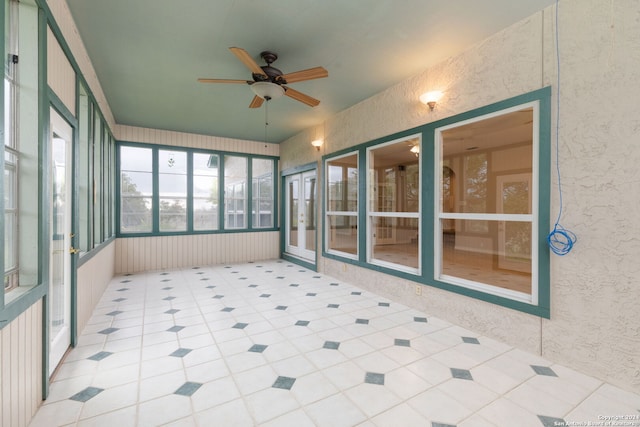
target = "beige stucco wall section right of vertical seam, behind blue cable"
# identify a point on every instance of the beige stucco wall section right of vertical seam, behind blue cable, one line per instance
(595, 322)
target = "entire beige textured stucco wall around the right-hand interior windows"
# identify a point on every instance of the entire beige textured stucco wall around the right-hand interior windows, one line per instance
(594, 325)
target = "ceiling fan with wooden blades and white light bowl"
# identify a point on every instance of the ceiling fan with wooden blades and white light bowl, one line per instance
(269, 82)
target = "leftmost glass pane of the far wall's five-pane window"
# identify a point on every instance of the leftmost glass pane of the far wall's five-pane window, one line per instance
(136, 189)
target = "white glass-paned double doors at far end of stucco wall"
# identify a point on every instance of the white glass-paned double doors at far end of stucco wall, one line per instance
(301, 210)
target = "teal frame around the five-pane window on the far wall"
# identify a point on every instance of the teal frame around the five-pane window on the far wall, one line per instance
(190, 230)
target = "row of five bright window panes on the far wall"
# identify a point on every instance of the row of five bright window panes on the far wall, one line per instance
(166, 190)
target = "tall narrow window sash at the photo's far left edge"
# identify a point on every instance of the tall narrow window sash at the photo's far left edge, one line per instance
(11, 147)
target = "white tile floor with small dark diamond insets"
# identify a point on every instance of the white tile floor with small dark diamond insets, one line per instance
(274, 344)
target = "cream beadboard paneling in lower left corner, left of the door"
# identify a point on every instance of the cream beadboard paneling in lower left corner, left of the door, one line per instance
(21, 368)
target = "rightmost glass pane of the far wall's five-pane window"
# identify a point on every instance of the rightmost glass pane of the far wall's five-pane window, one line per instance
(262, 207)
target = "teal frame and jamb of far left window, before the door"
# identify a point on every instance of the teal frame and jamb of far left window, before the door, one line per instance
(31, 286)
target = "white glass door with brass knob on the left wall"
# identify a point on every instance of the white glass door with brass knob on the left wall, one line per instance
(60, 239)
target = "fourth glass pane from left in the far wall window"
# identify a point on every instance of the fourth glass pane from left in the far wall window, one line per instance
(235, 197)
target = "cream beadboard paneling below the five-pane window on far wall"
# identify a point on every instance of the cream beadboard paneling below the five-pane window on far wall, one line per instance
(138, 254)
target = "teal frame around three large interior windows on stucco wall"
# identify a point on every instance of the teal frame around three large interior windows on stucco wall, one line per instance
(540, 304)
